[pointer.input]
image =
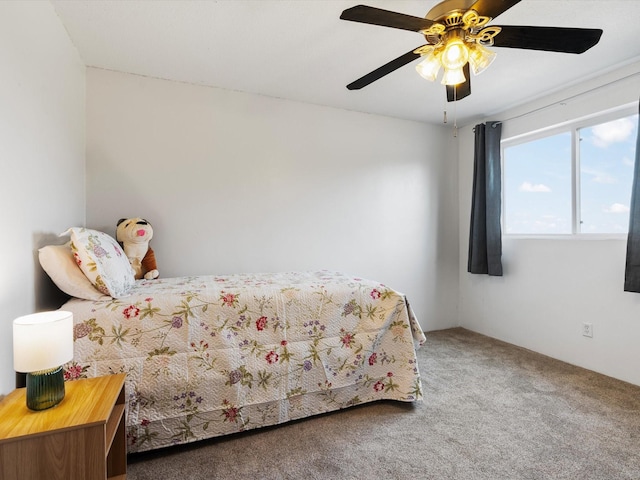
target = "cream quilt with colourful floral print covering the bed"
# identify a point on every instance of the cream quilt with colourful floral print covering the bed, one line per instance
(211, 355)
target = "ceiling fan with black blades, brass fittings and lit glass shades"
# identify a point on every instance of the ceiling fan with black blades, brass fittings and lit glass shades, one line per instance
(457, 35)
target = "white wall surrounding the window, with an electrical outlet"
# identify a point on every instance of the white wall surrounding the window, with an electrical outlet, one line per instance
(550, 287)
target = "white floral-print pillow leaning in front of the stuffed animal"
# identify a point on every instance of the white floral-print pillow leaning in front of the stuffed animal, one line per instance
(102, 261)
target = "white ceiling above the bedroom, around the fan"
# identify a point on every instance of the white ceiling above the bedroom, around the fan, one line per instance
(300, 50)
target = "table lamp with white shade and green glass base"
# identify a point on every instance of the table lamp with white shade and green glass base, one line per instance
(42, 343)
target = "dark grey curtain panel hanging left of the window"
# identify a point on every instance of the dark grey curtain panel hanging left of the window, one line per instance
(485, 237)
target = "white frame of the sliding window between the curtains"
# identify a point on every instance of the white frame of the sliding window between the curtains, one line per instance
(572, 127)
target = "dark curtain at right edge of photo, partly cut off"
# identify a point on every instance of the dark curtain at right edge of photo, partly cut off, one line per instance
(632, 270)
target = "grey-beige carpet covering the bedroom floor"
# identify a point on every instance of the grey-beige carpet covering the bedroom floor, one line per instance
(491, 411)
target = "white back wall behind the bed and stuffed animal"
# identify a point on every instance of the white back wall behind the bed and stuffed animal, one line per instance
(234, 182)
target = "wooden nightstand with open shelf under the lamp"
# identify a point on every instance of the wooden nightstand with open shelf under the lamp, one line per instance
(83, 438)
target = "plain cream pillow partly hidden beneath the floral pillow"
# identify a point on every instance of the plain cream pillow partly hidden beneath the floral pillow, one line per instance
(58, 262)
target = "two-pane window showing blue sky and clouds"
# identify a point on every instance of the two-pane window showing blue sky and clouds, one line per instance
(572, 180)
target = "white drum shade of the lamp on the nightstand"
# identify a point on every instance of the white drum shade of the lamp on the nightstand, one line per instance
(42, 341)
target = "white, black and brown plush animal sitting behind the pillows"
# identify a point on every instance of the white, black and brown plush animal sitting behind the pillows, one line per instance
(134, 235)
